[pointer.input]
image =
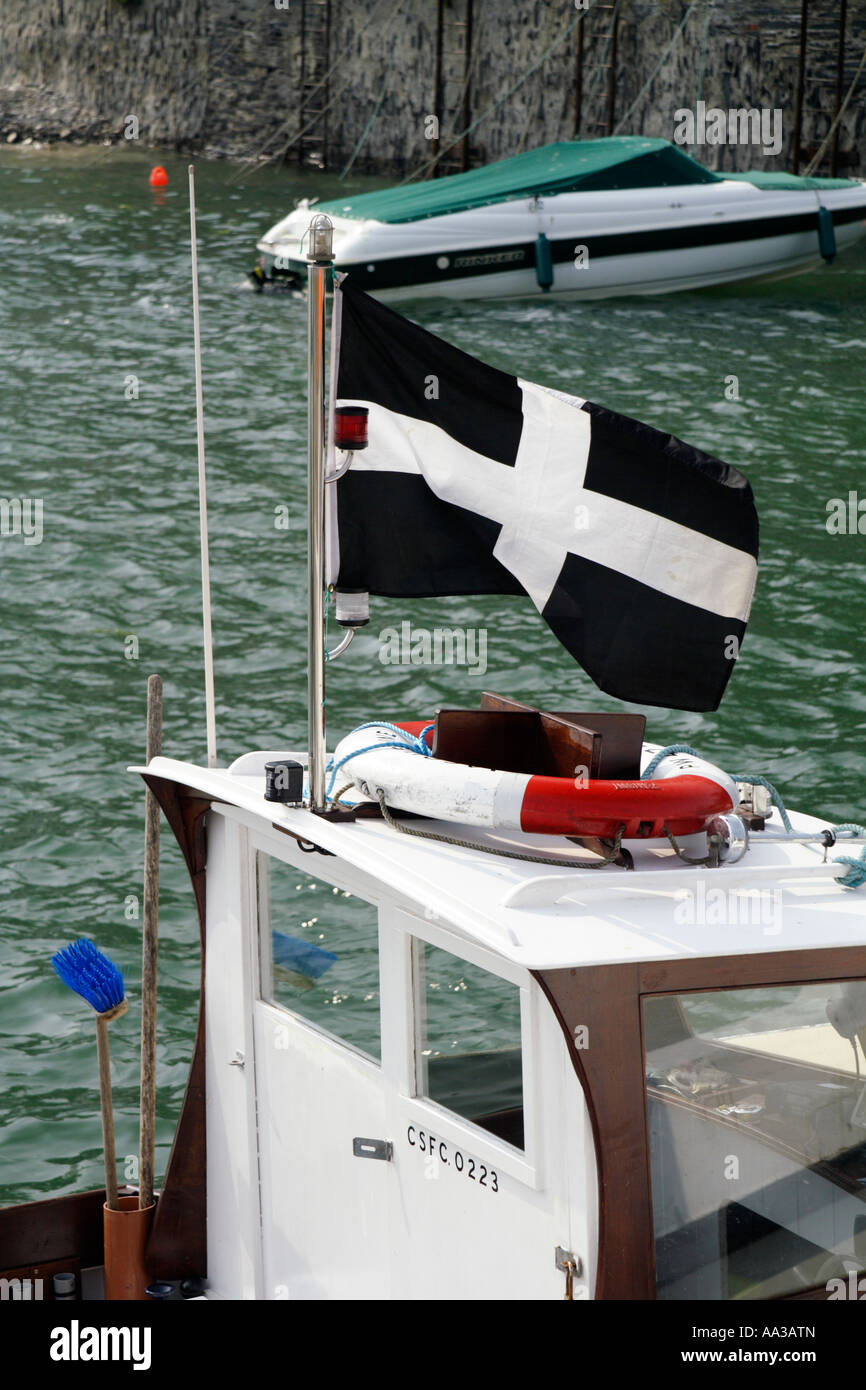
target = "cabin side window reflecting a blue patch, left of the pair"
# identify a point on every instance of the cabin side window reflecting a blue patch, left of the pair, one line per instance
(319, 953)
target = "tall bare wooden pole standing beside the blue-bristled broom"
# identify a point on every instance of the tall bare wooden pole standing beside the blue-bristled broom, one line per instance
(149, 950)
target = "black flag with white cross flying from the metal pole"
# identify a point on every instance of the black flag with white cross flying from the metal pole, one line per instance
(639, 551)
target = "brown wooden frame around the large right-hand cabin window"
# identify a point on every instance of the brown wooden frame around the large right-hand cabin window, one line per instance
(607, 1003)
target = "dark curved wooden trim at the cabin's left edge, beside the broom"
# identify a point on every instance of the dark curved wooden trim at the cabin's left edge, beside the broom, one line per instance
(179, 1239)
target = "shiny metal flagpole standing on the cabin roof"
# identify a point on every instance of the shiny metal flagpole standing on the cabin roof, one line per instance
(320, 261)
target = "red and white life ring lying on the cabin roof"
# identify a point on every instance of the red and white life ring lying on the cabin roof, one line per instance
(683, 796)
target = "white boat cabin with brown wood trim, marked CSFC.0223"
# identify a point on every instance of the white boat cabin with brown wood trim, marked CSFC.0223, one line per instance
(432, 1072)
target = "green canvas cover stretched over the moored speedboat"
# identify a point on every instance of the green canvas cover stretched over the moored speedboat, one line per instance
(619, 162)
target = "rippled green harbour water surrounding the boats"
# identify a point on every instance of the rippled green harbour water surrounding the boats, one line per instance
(95, 288)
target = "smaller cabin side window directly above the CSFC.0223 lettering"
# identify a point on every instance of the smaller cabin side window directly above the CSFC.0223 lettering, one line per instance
(469, 1042)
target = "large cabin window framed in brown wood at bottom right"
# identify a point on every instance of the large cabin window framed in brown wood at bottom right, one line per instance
(757, 1109)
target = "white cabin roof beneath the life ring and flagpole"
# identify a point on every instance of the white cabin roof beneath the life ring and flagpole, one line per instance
(781, 897)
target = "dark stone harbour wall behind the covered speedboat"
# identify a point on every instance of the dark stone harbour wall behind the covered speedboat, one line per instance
(227, 77)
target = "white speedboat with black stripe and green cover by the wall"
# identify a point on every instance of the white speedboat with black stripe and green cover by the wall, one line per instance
(583, 220)
